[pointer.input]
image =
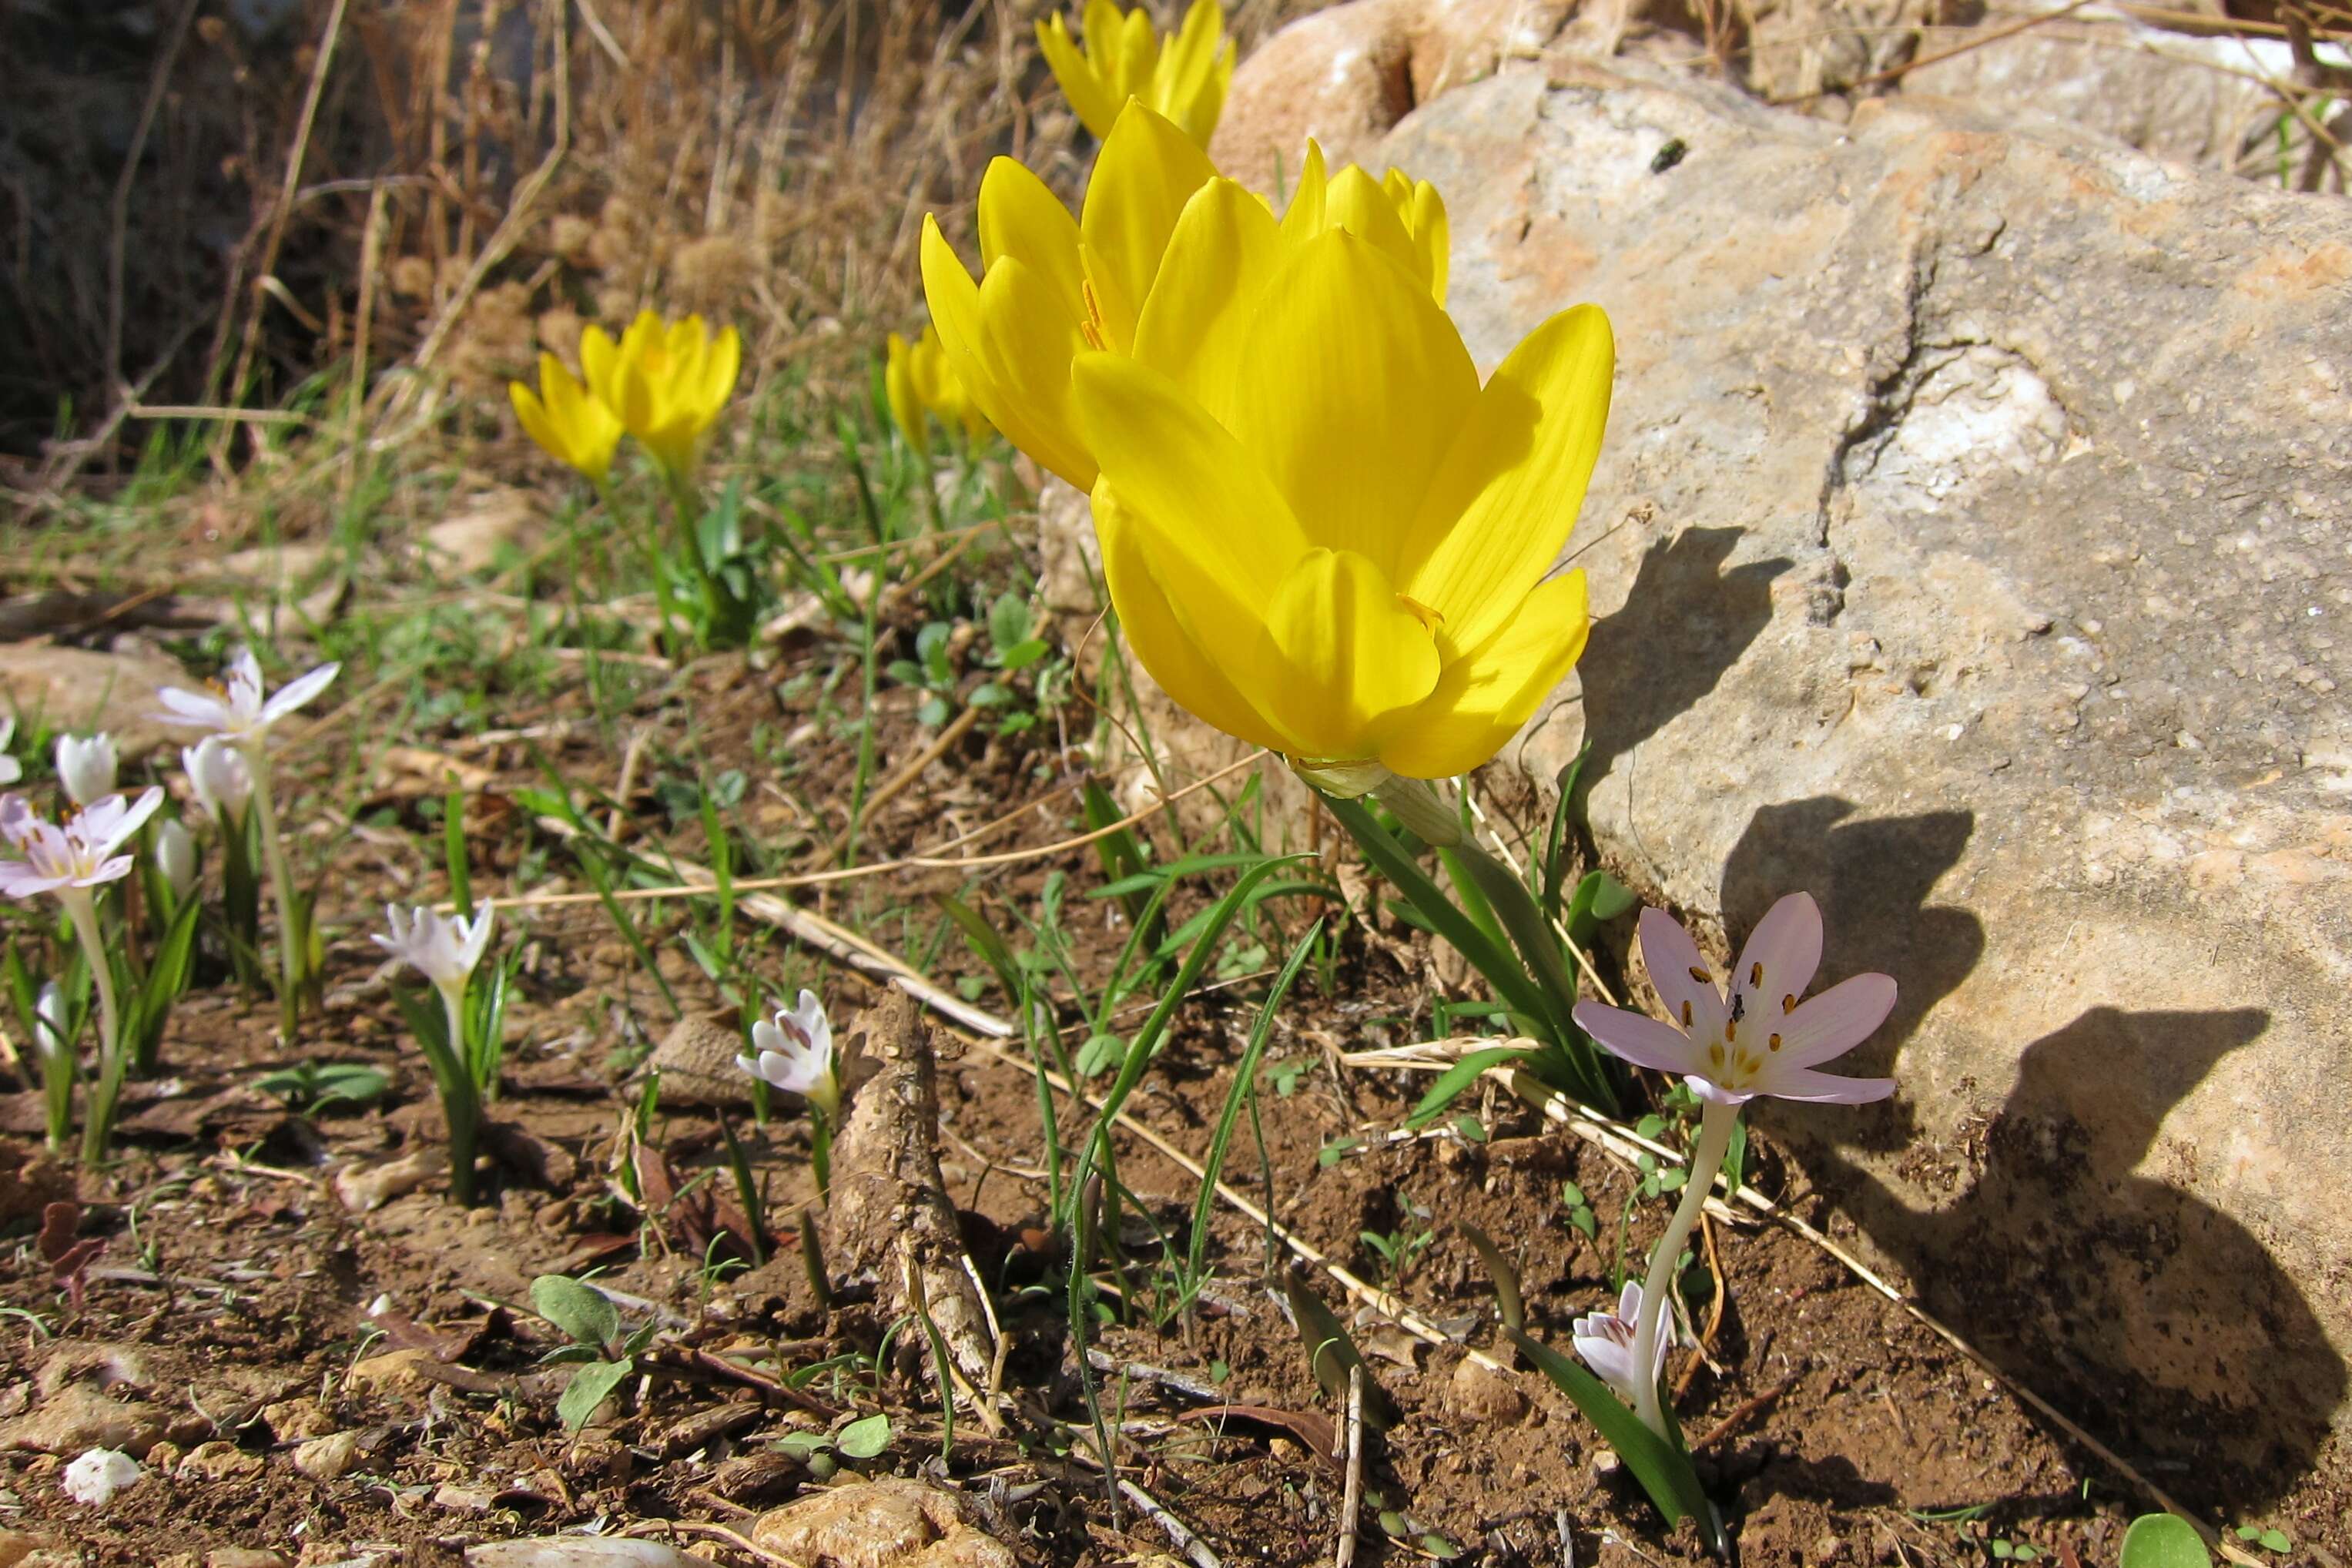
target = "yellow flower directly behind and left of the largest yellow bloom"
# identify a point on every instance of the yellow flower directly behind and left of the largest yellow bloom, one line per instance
(1053, 288)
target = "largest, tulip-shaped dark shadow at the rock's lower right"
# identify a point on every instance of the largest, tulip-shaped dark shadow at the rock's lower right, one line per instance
(2149, 1315)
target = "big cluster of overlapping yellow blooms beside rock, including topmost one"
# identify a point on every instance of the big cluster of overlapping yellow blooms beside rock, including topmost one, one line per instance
(1321, 532)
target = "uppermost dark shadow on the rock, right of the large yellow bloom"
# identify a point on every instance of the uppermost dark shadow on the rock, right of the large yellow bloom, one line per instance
(1685, 622)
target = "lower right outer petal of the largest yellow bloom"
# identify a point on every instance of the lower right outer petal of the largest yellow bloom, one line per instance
(1485, 697)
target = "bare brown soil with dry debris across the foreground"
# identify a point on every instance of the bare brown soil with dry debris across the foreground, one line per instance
(236, 1287)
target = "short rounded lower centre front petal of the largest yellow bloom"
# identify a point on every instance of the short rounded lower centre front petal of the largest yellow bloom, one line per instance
(1349, 657)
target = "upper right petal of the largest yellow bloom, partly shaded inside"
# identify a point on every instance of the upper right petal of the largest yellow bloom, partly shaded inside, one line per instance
(1509, 490)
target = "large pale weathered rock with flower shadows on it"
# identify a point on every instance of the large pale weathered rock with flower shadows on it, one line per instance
(1972, 551)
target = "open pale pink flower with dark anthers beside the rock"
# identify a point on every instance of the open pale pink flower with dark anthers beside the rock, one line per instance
(1758, 1036)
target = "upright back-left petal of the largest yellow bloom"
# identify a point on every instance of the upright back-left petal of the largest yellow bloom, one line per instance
(1196, 323)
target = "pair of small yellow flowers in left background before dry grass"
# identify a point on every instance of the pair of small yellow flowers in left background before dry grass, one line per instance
(664, 384)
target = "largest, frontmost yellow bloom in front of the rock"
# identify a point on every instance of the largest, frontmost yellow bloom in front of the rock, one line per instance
(1321, 532)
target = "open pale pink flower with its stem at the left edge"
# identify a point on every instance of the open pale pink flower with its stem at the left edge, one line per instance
(72, 862)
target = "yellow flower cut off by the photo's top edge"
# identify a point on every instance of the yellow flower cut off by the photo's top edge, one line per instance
(1182, 79)
